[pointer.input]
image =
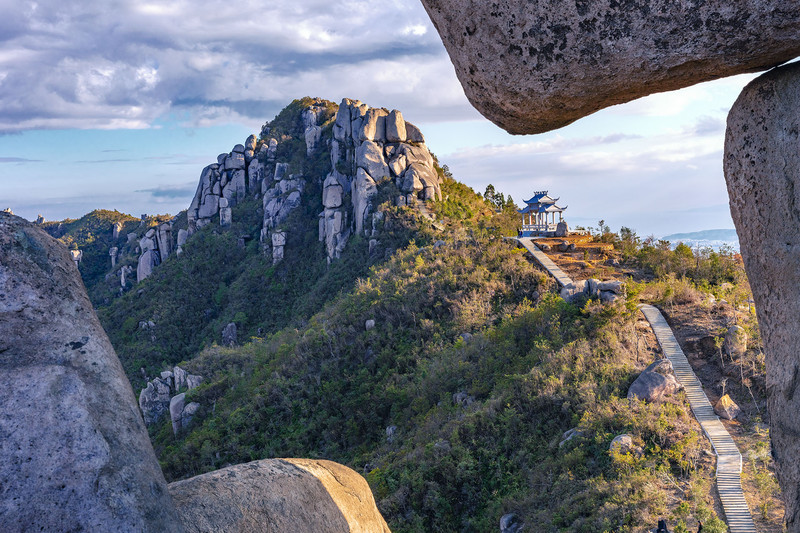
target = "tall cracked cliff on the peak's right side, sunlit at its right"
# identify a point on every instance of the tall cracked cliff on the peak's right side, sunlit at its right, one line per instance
(371, 146)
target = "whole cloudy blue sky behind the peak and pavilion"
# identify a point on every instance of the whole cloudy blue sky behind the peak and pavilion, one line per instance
(119, 104)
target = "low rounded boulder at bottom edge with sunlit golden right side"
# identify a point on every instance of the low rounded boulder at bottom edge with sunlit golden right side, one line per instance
(278, 495)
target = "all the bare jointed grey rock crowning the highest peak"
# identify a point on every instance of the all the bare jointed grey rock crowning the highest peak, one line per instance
(368, 147)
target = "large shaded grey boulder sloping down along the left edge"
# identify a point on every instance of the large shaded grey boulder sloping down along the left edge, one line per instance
(76, 454)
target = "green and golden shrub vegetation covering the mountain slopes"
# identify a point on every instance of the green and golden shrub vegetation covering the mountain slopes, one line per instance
(442, 365)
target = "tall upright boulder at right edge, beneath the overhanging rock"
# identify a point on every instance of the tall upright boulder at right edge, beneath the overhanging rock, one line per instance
(762, 170)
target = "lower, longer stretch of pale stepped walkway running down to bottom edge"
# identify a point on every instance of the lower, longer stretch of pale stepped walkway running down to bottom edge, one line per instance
(729, 460)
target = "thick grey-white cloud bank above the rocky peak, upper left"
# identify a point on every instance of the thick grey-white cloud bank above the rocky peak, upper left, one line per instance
(123, 63)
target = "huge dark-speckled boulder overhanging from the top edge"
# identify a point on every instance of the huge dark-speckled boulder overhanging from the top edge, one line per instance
(531, 67)
